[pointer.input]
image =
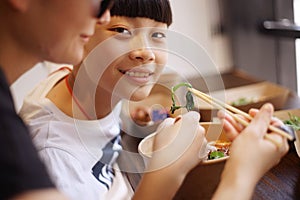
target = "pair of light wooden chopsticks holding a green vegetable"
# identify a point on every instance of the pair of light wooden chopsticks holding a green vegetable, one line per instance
(232, 111)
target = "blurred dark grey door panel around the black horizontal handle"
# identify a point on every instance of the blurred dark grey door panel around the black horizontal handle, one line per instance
(263, 55)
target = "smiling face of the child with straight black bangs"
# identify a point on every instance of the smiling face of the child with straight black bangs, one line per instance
(133, 74)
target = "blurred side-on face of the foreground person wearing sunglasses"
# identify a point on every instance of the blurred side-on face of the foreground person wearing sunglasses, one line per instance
(61, 28)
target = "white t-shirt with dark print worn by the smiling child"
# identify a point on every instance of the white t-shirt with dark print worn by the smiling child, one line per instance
(71, 149)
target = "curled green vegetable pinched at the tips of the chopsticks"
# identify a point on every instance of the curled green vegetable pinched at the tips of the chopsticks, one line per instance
(189, 98)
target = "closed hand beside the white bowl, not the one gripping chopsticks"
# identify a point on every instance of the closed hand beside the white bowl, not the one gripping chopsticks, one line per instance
(178, 143)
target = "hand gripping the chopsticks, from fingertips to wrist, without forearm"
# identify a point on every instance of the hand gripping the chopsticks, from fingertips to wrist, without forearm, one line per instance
(259, 154)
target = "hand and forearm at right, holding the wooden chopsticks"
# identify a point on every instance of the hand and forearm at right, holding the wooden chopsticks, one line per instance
(251, 155)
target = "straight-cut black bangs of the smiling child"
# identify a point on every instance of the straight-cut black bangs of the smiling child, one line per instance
(158, 10)
